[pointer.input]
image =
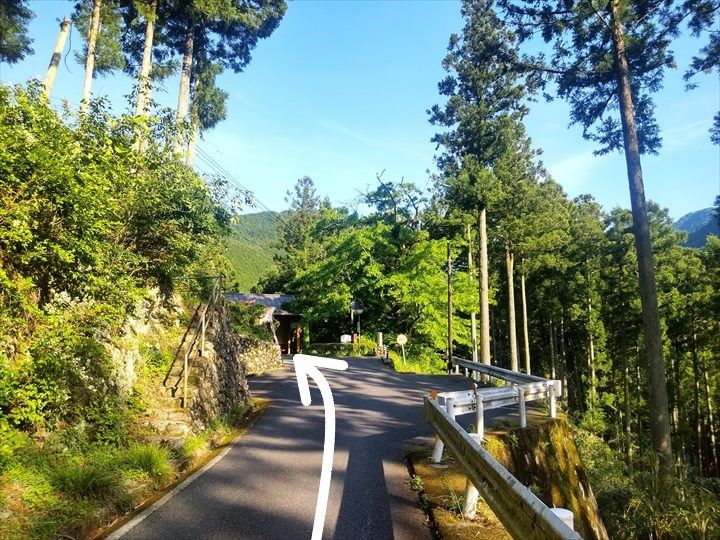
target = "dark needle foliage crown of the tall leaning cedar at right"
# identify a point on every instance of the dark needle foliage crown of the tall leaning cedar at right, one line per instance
(648, 29)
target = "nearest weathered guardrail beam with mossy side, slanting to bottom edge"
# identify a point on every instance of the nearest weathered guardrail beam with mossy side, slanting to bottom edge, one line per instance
(520, 511)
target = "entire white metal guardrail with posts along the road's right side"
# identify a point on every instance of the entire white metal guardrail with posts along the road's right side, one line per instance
(520, 511)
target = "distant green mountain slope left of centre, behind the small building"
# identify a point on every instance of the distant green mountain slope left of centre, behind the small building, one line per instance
(251, 247)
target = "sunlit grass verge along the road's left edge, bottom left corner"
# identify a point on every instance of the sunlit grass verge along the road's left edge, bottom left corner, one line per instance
(67, 487)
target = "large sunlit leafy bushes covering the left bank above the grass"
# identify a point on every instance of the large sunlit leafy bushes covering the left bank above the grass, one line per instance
(86, 224)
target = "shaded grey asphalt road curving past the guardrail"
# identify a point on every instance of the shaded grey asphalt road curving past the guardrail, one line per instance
(266, 486)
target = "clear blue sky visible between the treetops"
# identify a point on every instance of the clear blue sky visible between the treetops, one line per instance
(339, 93)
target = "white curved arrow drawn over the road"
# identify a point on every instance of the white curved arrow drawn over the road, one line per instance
(307, 366)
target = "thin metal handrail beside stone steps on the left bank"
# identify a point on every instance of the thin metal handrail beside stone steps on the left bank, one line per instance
(196, 344)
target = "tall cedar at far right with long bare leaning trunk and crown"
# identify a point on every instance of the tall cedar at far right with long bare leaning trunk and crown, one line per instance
(609, 58)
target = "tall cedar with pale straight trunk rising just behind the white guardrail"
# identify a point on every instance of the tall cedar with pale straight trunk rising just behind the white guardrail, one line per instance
(483, 111)
